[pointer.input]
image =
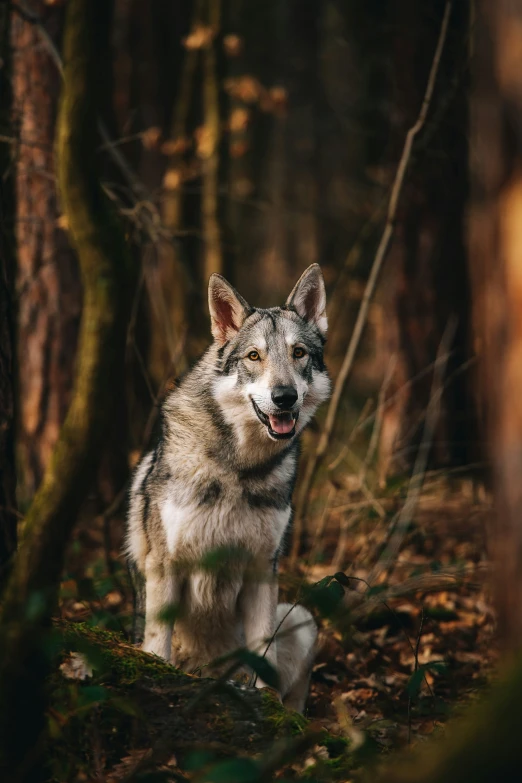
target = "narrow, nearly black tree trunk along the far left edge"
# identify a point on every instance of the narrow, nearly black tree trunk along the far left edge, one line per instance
(8, 520)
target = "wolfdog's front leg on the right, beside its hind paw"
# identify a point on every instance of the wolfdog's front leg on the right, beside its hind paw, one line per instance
(258, 602)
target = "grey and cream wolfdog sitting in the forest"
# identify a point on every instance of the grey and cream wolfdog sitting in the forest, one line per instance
(220, 479)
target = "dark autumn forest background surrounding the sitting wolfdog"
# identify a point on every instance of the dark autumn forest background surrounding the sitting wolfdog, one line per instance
(145, 144)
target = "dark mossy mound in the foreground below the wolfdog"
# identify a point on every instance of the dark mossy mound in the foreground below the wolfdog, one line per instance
(134, 700)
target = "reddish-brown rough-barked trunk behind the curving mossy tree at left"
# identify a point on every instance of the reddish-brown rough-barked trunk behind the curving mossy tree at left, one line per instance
(48, 285)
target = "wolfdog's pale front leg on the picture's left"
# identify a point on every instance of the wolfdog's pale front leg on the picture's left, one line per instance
(161, 593)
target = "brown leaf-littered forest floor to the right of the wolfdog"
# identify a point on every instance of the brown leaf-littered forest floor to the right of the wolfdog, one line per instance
(447, 637)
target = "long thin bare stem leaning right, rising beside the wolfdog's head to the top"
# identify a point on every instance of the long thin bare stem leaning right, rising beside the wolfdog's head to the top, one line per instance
(360, 323)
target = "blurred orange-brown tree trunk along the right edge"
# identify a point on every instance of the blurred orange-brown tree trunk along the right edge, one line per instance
(496, 266)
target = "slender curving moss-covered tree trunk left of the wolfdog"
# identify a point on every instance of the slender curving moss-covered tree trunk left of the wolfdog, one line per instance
(31, 593)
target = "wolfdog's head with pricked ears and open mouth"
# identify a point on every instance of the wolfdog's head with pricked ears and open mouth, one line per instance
(271, 376)
